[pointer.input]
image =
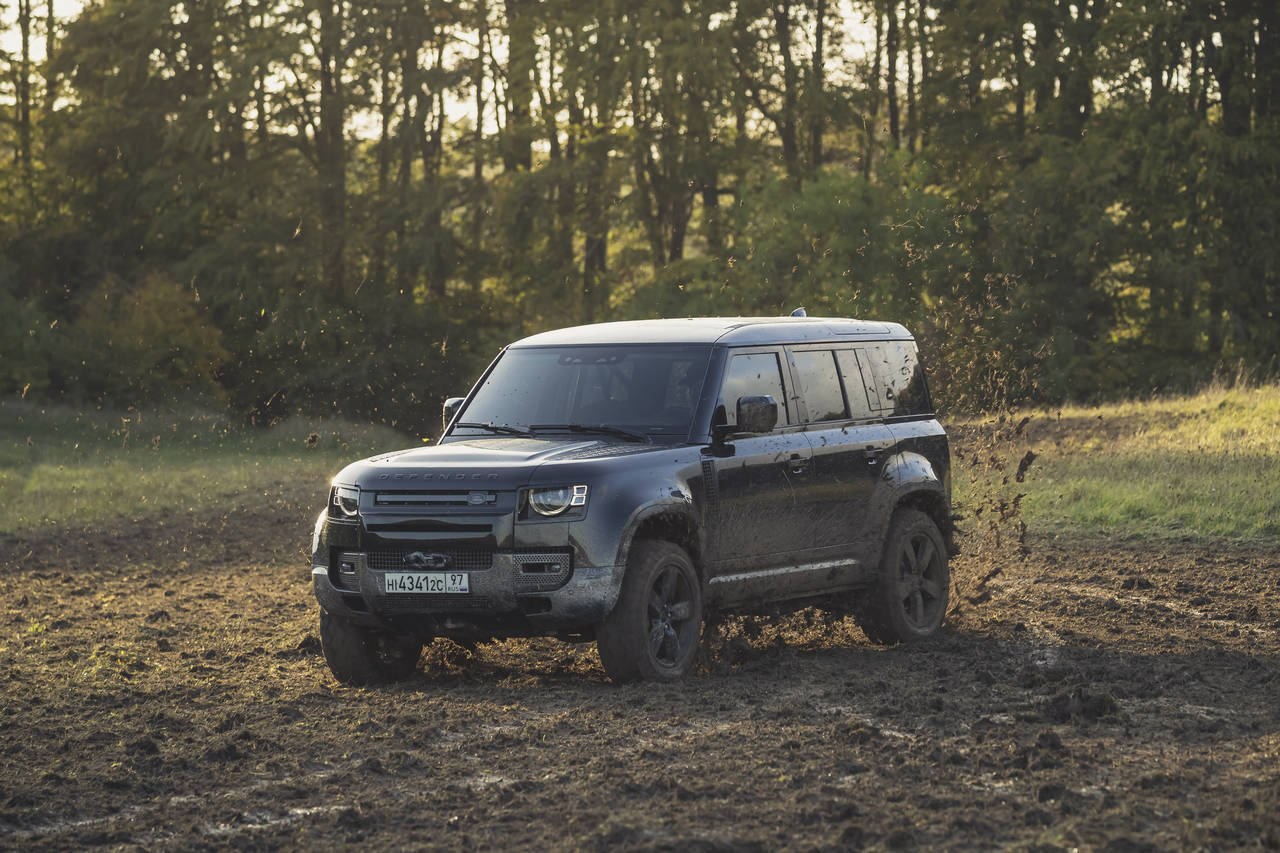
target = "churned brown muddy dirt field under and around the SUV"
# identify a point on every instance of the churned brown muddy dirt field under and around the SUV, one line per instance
(163, 688)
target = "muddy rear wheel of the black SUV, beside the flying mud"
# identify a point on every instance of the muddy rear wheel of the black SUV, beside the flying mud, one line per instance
(909, 600)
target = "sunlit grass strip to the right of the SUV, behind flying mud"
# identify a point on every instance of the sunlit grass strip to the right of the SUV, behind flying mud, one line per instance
(1204, 467)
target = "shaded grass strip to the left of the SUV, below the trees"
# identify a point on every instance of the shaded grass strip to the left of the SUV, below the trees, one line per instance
(61, 467)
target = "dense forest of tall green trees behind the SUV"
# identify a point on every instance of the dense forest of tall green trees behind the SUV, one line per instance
(322, 207)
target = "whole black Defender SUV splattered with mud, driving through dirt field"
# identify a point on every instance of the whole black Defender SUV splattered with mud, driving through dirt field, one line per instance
(619, 482)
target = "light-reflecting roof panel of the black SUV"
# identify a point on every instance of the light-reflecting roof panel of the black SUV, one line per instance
(729, 331)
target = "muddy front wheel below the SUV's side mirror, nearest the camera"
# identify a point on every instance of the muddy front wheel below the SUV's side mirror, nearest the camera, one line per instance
(656, 628)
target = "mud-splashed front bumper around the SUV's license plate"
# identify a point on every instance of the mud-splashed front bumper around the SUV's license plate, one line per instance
(504, 600)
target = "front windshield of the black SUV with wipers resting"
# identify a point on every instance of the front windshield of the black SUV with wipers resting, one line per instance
(647, 390)
